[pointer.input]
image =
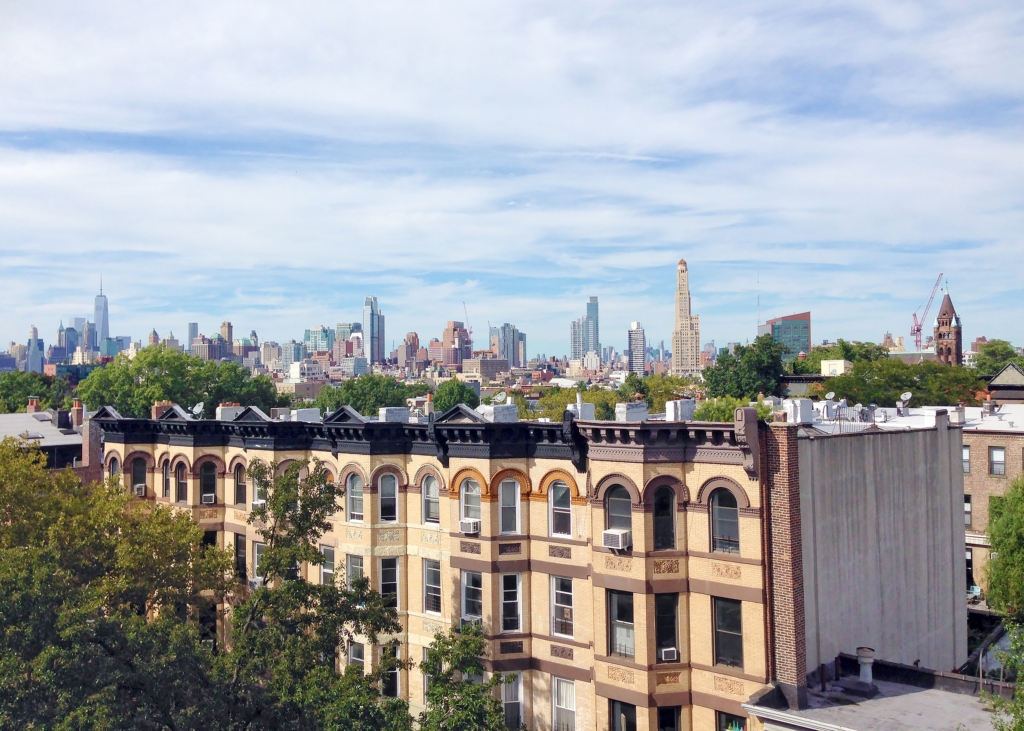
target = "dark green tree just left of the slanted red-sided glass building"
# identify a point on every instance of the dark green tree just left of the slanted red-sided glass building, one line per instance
(752, 370)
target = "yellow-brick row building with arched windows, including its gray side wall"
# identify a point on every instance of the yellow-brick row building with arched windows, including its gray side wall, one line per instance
(751, 554)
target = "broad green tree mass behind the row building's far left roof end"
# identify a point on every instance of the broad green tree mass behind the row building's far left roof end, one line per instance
(157, 374)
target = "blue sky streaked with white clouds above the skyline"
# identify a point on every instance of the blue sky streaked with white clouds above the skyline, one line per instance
(273, 164)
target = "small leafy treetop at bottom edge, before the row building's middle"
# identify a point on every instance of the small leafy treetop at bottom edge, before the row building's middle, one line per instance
(454, 702)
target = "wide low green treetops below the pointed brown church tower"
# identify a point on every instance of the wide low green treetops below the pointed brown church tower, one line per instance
(882, 382)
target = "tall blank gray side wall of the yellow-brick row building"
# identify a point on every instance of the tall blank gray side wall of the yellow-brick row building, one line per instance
(883, 542)
